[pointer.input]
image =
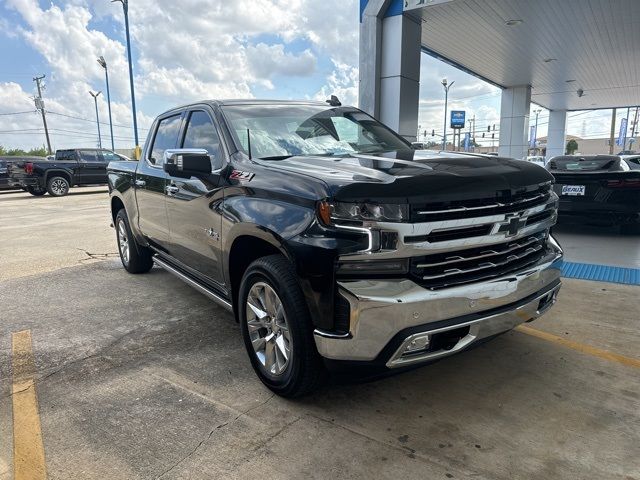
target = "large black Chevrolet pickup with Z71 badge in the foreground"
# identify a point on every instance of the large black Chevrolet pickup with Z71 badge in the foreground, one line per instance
(334, 242)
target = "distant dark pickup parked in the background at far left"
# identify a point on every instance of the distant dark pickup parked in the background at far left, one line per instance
(73, 167)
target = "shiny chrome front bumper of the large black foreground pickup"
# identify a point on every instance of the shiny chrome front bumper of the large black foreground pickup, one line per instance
(388, 313)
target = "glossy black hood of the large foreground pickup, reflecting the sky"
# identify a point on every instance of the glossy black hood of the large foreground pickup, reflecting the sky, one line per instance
(409, 176)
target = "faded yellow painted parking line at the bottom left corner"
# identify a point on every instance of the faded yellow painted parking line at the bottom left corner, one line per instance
(28, 450)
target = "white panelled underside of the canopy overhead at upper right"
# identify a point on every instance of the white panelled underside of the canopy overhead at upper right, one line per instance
(575, 54)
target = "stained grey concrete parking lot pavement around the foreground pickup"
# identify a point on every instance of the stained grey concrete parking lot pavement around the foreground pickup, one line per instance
(143, 377)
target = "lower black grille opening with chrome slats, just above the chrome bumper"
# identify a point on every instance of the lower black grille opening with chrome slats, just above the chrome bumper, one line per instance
(453, 268)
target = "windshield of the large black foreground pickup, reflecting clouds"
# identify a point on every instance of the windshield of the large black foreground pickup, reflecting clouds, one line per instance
(280, 131)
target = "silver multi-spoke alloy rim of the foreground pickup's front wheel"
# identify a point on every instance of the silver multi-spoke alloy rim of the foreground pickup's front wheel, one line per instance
(268, 329)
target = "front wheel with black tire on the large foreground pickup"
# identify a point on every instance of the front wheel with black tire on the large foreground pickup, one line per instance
(277, 328)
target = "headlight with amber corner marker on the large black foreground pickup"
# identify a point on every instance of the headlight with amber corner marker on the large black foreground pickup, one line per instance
(361, 212)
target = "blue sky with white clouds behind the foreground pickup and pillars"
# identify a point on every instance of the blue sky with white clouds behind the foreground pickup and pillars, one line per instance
(196, 49)
